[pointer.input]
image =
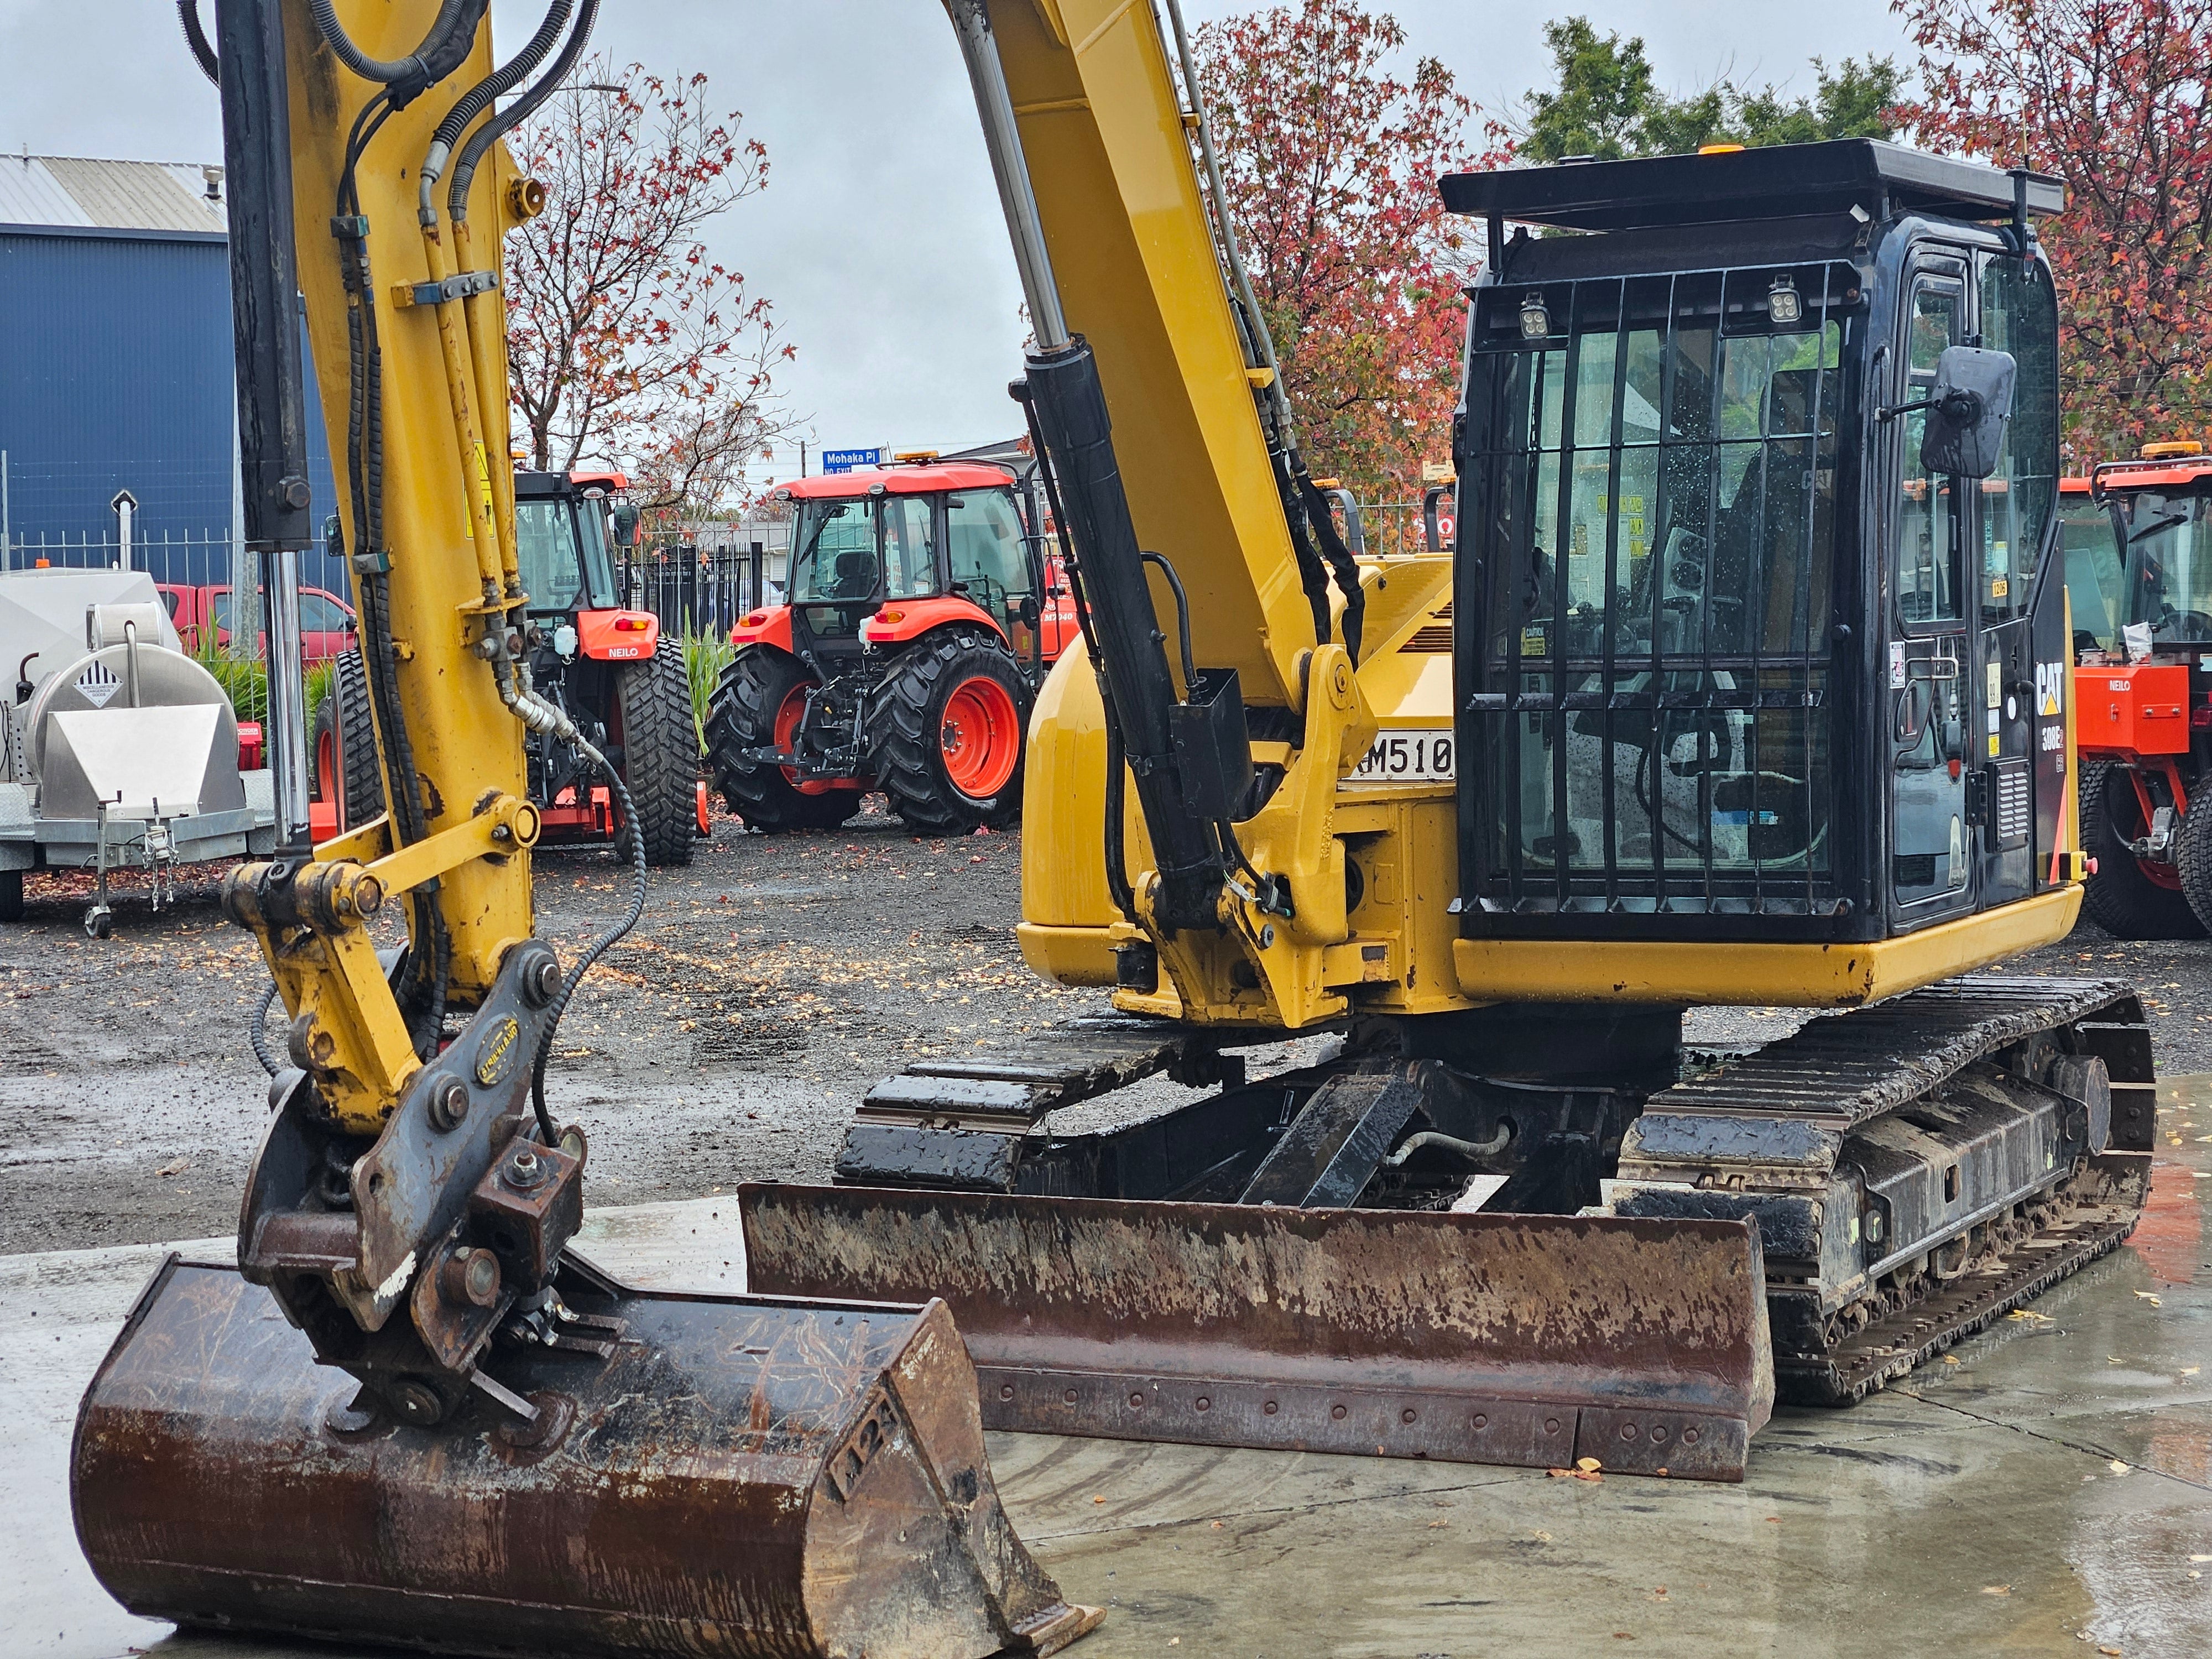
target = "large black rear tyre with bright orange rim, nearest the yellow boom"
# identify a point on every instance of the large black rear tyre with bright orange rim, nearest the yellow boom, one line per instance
(948, 731)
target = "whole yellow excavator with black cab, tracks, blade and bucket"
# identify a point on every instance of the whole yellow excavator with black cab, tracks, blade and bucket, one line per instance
(1744, 685)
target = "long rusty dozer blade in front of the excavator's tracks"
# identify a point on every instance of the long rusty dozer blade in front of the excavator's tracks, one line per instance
(1512, 1339)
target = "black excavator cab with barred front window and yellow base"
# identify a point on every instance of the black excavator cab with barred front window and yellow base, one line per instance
(1751, 660)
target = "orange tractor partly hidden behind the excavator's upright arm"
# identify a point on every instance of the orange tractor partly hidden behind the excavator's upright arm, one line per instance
(592, 656)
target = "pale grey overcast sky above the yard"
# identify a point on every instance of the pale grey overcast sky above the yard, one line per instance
(879, 238)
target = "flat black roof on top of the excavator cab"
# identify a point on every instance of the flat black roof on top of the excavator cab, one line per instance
(1777, 182)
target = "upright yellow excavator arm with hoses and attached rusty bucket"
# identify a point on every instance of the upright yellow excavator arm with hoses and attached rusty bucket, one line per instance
(437, 1423)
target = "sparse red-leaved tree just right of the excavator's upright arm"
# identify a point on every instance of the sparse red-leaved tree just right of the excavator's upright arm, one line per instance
(627, 344)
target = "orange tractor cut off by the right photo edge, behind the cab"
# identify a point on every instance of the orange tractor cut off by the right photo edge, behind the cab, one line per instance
(2140, 583)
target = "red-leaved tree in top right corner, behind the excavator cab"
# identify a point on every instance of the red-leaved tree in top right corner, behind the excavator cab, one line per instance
(2114, 98)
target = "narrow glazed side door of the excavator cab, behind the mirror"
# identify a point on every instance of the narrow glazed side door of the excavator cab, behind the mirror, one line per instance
(1928, 693)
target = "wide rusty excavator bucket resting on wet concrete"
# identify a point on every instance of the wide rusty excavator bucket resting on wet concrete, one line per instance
(744, 1477)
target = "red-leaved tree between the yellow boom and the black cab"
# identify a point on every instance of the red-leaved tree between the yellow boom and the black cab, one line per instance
(1331, 169)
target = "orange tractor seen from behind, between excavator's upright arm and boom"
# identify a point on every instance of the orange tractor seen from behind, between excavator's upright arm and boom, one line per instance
(919, 618)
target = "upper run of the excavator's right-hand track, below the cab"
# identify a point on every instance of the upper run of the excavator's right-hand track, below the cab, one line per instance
(1844, 1070)
